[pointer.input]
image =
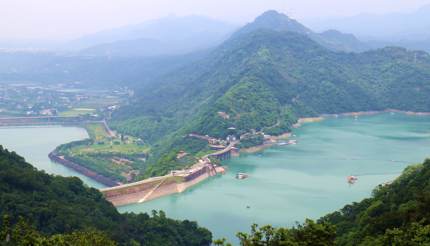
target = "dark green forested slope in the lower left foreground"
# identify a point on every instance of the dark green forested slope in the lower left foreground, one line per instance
(57, 205)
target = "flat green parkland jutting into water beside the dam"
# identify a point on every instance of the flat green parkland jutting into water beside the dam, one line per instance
(119, 158)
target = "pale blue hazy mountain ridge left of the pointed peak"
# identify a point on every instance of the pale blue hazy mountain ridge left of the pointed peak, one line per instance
(166, 36)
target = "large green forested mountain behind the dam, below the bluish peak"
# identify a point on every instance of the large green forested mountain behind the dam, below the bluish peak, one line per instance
(263, 80)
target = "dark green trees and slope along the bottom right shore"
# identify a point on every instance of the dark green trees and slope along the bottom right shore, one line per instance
(397, 214)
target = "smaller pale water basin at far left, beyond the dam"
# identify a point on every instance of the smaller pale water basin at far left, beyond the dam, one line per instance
(35, 143)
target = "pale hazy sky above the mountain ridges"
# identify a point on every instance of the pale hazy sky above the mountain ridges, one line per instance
(66, 19)
